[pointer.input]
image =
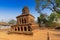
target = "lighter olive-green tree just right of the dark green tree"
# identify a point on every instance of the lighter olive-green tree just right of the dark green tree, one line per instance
(50, 22)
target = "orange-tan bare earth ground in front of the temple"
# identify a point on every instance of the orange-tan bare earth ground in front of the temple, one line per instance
(38, 34)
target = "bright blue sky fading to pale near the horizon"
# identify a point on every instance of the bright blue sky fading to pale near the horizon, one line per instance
(9, 9)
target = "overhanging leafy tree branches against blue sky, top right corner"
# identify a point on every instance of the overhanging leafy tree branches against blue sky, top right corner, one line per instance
(53, 5)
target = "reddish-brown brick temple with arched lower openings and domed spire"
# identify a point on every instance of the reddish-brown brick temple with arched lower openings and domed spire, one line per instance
(25, 23)
